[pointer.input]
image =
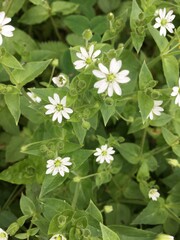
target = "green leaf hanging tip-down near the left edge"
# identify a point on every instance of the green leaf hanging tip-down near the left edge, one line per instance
(13, 104)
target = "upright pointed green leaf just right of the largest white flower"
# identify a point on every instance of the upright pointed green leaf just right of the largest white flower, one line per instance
(145, 77)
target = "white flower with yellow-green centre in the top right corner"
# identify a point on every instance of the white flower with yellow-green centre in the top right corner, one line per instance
(164, 21)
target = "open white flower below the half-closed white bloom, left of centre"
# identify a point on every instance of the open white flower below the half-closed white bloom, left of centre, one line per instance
(58, 108)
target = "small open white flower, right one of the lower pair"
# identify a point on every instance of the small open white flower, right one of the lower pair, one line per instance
(104, 154)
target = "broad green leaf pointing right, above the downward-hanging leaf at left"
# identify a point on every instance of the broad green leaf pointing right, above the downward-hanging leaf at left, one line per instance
(30, 72)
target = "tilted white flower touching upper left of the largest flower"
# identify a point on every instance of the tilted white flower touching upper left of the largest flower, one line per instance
(87, 57)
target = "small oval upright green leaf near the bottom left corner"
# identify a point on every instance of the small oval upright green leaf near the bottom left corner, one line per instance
(27, 206)
